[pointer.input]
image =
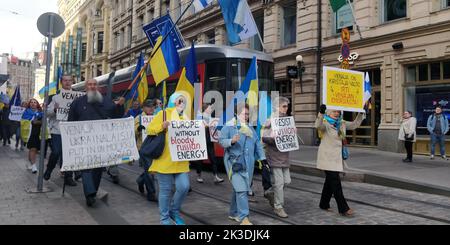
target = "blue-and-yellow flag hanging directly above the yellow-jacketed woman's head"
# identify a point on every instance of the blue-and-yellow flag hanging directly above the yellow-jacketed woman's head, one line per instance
(188, 78)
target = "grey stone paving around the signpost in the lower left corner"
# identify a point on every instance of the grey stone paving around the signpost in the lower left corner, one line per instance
(17, 207)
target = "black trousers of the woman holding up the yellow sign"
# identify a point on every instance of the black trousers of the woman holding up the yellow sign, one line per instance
(333, 187)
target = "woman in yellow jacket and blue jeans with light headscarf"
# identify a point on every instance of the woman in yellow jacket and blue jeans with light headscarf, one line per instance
(167, 171)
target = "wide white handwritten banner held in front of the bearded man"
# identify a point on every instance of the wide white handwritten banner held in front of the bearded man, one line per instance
(97, 144)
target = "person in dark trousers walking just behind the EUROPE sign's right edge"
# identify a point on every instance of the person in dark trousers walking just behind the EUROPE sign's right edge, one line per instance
(206, 117)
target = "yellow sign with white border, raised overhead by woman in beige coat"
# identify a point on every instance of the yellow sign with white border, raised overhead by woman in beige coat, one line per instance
(343, 89)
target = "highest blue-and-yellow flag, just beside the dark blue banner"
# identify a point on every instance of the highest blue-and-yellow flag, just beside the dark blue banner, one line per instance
(165, 61)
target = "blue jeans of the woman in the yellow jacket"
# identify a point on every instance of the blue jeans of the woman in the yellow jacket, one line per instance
(170, 206)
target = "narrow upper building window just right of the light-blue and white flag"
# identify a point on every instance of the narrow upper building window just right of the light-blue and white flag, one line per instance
(289, 24)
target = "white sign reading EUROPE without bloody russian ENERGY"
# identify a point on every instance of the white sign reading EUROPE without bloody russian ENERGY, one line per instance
(187, 141)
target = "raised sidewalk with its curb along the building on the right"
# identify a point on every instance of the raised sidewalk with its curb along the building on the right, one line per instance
(370, 165)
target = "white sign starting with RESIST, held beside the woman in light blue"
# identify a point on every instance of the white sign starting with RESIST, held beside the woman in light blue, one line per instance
(285, 134)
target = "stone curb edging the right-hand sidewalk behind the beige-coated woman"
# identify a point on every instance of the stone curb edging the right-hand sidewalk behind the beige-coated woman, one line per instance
(353, 175)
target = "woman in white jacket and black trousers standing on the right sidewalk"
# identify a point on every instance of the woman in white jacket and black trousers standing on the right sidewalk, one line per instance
(407, 133)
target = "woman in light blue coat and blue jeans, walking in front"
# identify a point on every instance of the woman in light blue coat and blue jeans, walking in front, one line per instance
(242, 148)
